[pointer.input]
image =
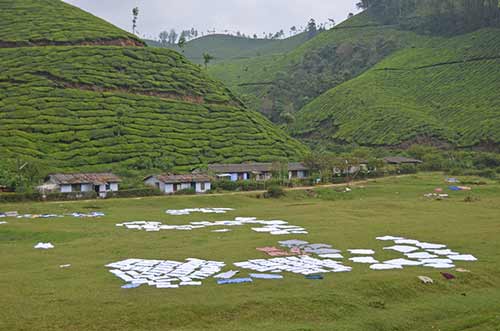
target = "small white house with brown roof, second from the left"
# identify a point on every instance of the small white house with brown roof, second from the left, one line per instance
(170, 184)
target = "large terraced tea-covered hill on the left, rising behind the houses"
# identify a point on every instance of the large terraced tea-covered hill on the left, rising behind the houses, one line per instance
(109, 107)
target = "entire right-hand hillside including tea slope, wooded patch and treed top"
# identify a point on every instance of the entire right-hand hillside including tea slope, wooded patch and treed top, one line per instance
(332, 89)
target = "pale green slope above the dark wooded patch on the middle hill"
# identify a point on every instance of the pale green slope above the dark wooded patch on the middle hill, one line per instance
(263, 69)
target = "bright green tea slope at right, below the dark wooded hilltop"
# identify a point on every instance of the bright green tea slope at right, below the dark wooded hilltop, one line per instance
(398, 101)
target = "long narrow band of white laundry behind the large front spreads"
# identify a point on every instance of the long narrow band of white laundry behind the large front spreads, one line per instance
(273, 227)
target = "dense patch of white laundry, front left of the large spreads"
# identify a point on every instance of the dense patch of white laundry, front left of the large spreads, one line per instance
(165, 273)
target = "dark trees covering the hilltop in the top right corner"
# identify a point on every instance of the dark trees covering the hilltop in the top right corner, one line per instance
(435, 16)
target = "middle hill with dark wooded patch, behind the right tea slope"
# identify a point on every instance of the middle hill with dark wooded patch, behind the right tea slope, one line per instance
(282, 84)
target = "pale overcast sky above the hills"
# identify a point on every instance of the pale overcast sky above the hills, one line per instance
(247, 16)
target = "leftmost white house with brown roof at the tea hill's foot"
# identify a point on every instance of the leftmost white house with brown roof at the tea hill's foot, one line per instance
(101, 183)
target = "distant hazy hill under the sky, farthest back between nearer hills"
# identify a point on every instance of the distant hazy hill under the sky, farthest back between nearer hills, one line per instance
(226, 47)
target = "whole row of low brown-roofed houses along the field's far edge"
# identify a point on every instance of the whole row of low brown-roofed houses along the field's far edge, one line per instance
(200, 182)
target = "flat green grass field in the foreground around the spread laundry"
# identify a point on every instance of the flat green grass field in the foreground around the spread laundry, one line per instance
(38, 295)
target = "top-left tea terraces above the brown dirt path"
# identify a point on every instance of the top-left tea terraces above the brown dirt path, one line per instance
(53, 20)
